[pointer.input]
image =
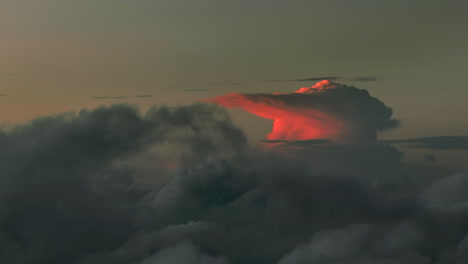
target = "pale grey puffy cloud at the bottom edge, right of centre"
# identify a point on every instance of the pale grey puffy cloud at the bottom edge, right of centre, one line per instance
(362, 244)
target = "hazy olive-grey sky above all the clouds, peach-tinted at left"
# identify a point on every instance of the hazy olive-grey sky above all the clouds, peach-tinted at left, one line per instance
(55, 55)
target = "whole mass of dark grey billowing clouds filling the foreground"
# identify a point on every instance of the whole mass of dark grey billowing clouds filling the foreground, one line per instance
(181, 185)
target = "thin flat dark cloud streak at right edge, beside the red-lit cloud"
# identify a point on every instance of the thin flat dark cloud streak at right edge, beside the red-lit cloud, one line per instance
(440, 142)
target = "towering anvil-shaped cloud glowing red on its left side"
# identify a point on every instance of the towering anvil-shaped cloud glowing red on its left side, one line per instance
(325, 110)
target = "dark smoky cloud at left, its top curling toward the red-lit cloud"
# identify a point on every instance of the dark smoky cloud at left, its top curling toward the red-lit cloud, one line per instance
(60, 198)
